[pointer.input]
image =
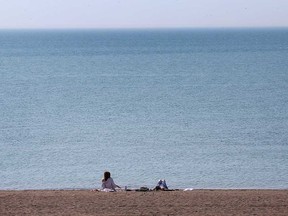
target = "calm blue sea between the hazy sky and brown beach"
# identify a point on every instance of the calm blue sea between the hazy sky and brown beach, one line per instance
(201, 108)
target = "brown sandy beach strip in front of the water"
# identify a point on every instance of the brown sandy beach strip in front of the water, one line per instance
(195, 202)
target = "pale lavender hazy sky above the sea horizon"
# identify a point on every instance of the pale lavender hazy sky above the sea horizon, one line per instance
(142, 13)
